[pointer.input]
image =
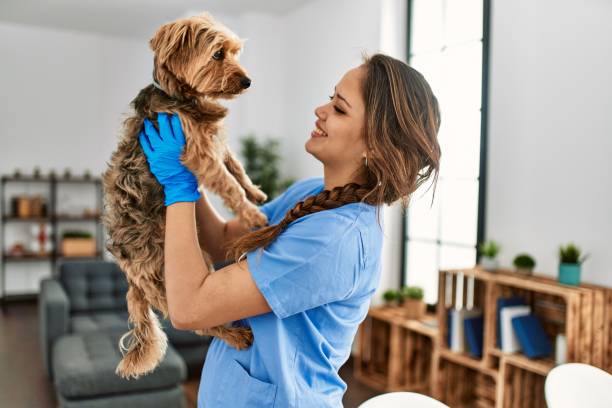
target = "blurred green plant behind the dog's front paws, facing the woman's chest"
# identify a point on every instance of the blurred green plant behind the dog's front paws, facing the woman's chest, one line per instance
(261, 162)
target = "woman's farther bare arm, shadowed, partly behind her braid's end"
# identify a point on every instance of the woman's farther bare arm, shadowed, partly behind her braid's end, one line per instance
(214, 232)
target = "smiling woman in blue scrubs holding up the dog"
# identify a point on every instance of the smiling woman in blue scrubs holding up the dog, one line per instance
(308, 277)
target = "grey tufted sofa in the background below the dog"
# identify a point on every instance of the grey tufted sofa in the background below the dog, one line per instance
(82, 314)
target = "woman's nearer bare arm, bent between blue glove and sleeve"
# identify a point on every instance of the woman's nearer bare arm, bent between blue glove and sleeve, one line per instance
(198, 299)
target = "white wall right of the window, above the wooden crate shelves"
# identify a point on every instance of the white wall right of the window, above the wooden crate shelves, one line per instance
(550, 129)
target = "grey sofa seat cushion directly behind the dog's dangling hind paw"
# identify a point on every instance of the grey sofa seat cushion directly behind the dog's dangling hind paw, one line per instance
(84, 366)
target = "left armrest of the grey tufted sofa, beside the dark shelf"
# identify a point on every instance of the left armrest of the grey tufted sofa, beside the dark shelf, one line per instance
(53, 317)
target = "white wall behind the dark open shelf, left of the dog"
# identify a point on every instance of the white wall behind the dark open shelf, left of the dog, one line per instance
(63, 96)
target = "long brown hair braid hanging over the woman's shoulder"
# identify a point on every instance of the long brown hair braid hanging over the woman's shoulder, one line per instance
(325, 200)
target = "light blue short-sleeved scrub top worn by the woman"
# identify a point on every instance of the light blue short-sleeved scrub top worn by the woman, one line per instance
(318, 277)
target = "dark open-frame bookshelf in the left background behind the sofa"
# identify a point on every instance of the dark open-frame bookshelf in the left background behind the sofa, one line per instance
(51, 218)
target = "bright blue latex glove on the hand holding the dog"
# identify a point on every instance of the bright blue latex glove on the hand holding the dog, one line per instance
(163, 150)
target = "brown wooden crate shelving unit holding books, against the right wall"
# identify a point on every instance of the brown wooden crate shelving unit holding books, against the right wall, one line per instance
(501, 380)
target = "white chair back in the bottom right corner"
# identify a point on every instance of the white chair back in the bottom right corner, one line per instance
(578, 385)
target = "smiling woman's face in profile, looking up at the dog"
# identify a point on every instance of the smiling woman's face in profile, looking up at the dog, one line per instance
(337, 139)
